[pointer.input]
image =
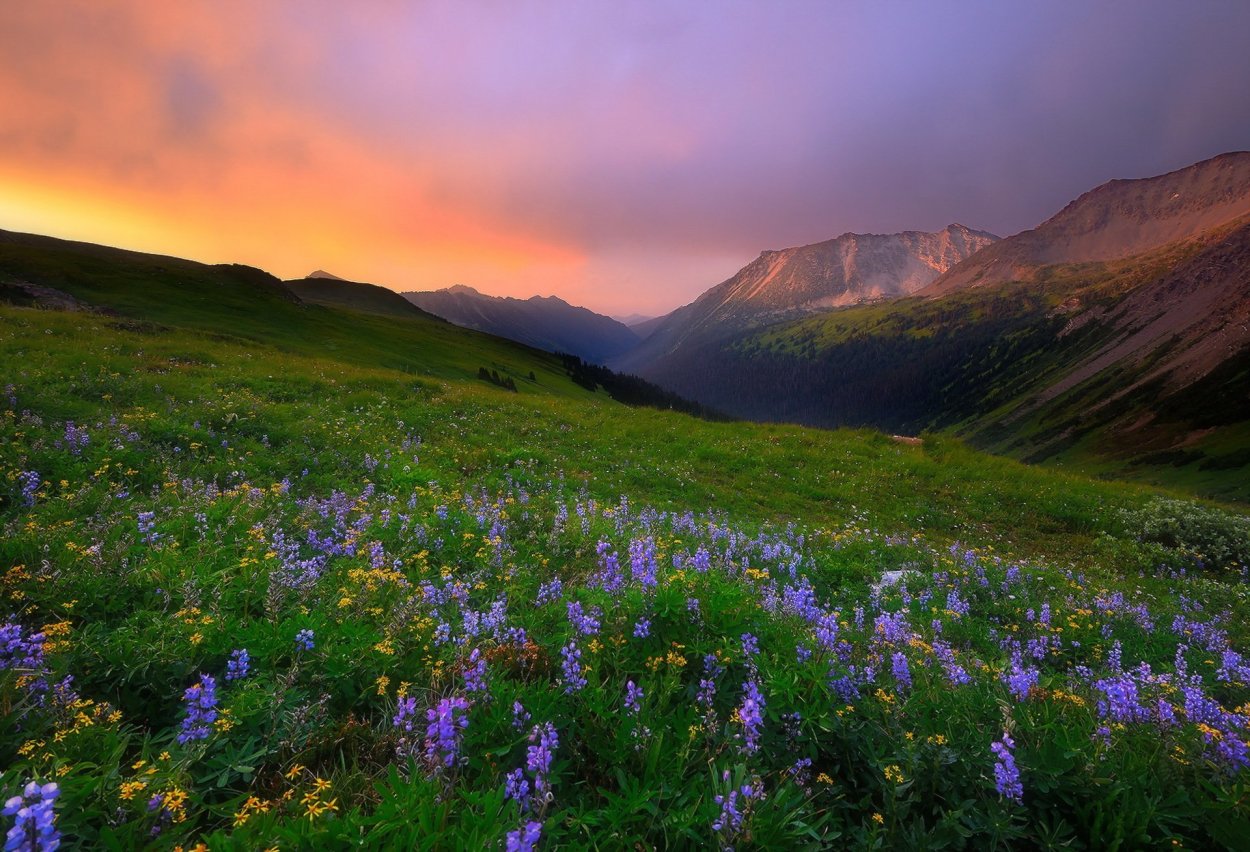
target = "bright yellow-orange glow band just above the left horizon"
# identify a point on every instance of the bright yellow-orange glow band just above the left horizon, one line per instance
(284, 235)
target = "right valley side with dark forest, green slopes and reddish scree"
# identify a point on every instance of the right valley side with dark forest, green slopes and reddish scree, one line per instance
(1116, 334)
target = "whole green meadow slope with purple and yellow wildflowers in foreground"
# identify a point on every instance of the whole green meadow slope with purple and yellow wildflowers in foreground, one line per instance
(317, 587)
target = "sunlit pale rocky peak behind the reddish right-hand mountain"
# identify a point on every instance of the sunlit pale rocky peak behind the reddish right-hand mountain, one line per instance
(803, 280)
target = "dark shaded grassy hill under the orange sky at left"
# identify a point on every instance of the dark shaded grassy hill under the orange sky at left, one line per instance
(239, 304)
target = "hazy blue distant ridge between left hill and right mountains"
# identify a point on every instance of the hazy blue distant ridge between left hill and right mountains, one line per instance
(546, 323)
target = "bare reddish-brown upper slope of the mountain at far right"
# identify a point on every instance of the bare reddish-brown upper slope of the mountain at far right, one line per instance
(1119, 219)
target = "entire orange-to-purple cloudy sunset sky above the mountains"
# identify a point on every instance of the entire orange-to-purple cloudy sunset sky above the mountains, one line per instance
(623, 156)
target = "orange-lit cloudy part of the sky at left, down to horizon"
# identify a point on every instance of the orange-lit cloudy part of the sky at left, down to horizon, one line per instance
(166, 136)
